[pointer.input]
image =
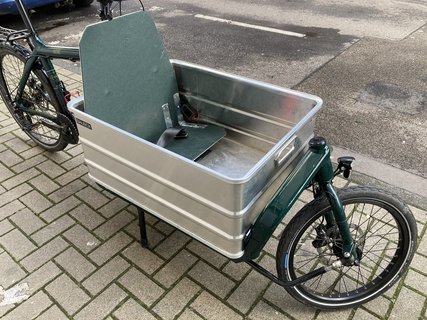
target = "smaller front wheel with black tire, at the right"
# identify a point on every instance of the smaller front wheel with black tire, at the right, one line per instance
(385, 233)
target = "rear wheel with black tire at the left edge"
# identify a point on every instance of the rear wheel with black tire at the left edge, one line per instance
(38, 95)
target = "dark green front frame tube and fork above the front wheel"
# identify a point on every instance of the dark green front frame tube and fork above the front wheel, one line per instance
(314, 166)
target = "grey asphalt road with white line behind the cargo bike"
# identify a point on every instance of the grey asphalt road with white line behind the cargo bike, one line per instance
(365, 59)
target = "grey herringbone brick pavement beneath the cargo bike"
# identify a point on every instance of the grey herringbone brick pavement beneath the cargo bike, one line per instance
(76, 246)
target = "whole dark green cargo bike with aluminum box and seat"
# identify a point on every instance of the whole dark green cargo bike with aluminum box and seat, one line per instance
(224, 158)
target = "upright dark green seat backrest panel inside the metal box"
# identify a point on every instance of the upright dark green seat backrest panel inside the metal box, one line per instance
(127, 75)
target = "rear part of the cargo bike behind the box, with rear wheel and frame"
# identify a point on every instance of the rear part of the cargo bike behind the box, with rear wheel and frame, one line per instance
(30, 86)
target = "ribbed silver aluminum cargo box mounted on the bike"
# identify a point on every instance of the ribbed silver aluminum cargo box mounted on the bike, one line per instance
(215, 198)
